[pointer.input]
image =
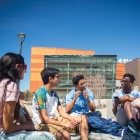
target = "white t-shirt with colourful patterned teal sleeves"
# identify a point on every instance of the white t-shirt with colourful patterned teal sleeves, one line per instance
(44, 100)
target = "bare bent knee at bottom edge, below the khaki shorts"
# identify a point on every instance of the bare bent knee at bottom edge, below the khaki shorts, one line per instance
(63, 135)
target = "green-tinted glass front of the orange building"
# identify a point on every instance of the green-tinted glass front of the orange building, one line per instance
(99, 72)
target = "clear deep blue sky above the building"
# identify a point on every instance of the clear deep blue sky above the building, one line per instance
(105, 26)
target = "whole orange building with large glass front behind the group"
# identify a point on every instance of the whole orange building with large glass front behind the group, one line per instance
(99, 70)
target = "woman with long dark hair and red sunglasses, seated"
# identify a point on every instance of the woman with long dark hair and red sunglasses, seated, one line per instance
(12, 69)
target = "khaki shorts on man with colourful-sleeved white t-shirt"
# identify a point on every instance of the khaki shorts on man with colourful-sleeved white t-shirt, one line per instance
(55, 128)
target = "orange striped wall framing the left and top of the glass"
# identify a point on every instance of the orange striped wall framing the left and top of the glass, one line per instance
(37, 62)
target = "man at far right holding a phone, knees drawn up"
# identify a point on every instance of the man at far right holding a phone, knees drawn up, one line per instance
(123, 99)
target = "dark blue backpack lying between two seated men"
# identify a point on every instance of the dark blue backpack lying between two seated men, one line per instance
(101, 125)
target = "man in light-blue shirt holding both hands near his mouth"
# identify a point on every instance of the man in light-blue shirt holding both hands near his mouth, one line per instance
(80, 100)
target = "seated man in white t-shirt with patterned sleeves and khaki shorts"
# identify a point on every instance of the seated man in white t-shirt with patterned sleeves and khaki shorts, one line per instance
(46, 103)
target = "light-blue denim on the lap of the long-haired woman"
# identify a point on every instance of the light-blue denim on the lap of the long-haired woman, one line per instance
(27, 135)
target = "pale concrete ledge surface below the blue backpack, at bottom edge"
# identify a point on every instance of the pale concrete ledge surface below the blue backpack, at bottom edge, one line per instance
(95, 136)
